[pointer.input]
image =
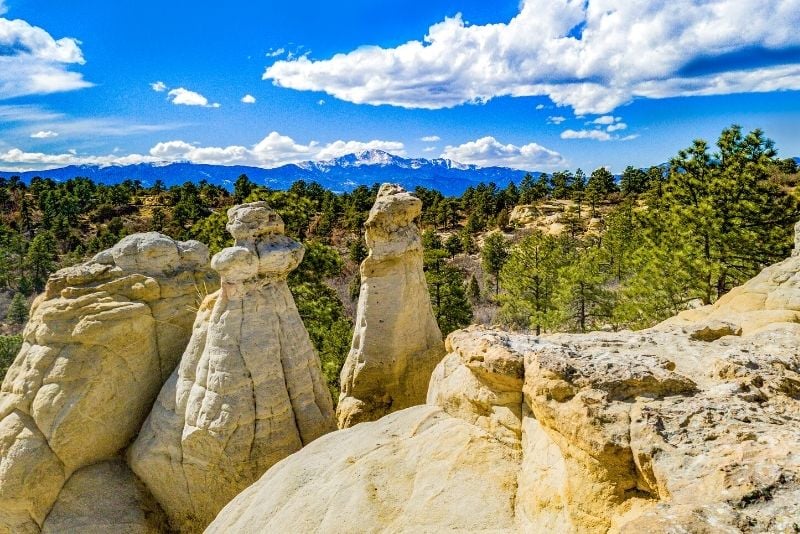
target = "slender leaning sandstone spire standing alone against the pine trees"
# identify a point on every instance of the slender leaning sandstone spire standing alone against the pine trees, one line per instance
(397, 342)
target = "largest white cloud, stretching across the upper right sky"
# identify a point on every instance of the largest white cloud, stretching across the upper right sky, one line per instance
(625, 50)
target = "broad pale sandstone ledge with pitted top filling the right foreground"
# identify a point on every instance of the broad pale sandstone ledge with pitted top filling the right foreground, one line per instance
(686, 427)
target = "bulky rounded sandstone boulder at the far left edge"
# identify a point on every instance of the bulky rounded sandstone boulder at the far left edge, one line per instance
(100, 342)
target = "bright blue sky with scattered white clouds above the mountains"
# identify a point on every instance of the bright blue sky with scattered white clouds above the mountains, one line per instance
(540, 84)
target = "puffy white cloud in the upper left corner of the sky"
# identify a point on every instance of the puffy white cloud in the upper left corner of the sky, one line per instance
(32, 62)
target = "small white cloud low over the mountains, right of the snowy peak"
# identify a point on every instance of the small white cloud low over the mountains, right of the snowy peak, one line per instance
(488, 152)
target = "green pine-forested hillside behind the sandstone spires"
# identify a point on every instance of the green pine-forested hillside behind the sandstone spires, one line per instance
(591, 252)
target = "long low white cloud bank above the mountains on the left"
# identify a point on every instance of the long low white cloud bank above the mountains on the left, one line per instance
(272, 151)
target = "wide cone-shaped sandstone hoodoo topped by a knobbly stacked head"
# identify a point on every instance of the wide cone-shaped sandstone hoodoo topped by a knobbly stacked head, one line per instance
(248, 391)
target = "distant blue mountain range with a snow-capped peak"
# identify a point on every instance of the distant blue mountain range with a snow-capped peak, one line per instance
(340, 174)
